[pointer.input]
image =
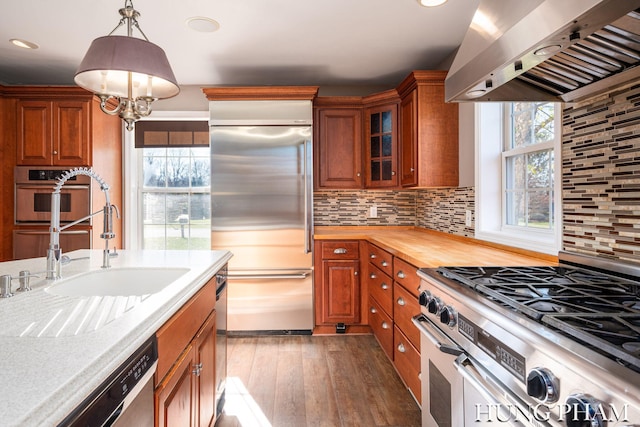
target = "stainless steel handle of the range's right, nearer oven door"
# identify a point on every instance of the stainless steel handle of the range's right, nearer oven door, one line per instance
(491, 390)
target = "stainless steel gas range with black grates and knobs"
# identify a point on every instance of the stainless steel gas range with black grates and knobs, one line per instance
(531, 346)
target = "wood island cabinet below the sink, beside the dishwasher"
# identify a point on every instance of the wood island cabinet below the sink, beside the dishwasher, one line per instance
(185, 378)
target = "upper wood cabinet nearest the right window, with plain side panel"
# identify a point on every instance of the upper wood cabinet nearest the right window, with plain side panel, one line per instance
(428, 132)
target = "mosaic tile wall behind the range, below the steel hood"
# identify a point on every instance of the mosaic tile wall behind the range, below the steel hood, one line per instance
(601, 175)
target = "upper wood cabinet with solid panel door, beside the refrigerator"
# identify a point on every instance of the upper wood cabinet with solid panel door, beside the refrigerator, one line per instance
(338, 142)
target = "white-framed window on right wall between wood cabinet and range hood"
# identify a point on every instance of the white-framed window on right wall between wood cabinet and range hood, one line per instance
(517, 192)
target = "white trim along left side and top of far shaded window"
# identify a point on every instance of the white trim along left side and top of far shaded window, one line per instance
(132, 167)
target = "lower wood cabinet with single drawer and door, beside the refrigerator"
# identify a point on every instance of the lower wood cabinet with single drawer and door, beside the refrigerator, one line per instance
(337, 283)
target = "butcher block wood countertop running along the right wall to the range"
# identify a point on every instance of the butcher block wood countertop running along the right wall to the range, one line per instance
(427, 248)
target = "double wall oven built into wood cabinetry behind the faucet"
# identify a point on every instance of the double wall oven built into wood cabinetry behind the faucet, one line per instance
(32, 214)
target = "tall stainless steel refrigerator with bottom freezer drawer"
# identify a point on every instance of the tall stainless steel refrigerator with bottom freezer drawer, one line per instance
(261, 210)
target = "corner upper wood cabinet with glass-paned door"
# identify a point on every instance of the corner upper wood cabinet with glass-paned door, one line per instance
(380, 142)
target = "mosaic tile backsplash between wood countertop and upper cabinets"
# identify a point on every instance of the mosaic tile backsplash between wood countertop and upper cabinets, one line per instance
(437, 209)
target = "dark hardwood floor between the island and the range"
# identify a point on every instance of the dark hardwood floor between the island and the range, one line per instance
(343, 380)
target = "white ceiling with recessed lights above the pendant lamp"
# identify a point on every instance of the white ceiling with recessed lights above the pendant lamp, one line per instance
(330, 43)
